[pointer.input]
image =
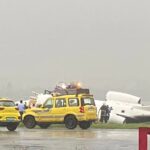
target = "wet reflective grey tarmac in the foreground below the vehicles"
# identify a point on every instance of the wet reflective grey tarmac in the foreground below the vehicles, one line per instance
(64, 139)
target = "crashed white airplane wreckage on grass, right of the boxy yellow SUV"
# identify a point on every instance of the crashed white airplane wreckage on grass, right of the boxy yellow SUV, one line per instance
(126, 108)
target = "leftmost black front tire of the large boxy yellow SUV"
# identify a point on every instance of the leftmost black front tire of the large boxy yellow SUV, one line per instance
(29, 122)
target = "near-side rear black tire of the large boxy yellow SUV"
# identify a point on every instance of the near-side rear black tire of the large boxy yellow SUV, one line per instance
(70, 122)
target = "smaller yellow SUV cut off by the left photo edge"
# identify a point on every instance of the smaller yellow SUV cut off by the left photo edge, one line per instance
(9, 114)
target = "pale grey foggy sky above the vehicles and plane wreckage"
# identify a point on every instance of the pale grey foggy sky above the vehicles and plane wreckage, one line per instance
(103, 44)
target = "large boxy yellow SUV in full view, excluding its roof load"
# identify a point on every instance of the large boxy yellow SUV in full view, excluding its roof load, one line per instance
(72, 110)
